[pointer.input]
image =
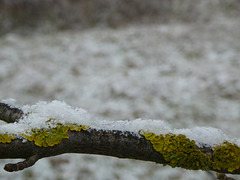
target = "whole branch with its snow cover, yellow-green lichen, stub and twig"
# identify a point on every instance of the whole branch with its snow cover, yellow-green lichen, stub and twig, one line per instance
(54, 128)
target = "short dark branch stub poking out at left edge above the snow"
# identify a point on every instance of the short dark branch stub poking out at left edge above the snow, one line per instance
(10, 114)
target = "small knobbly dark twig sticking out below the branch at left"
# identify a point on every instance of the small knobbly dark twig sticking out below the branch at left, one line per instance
(22, 165)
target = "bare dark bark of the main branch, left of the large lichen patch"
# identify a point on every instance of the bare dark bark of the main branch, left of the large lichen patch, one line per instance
(110, 143)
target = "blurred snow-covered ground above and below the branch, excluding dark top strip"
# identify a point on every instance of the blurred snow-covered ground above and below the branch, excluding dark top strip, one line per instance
(184, 74)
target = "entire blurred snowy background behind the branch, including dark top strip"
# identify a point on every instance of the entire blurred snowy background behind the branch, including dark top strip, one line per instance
(177, 61)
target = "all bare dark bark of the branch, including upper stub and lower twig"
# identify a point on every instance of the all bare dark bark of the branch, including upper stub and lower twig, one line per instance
(92, 141)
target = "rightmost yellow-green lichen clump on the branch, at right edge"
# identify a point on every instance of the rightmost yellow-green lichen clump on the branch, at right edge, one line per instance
(226, 156)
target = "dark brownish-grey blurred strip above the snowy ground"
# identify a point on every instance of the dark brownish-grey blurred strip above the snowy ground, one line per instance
(25, 16)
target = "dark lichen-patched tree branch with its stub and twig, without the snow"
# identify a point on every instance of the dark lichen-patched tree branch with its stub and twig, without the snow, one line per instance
(169, 149)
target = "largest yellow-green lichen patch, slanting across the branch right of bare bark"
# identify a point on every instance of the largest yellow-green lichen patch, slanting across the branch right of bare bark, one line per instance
(179, 151)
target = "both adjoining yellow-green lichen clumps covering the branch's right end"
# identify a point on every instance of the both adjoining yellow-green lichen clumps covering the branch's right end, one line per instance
(179, 151)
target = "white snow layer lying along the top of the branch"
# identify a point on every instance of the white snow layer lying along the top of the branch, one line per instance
(40, 113)
